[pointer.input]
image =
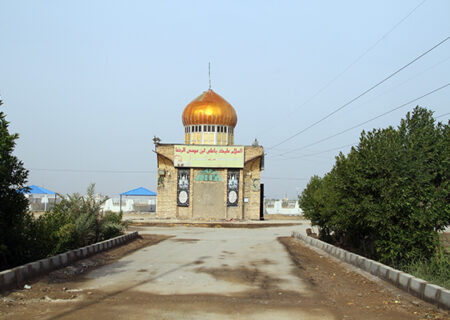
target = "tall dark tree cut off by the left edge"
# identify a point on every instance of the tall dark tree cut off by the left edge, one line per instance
(13, 204)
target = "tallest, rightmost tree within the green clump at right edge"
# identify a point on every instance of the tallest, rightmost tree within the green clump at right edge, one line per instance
(417, 192)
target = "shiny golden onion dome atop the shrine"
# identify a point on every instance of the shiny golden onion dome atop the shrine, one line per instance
(209, 108)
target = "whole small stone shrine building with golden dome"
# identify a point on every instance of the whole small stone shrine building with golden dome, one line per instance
(208, 177)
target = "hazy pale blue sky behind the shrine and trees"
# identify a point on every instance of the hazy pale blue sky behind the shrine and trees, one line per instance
(87, 84)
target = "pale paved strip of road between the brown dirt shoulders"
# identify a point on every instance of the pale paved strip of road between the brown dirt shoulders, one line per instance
(202, 273)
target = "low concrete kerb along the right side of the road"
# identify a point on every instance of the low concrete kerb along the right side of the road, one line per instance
(418, 287)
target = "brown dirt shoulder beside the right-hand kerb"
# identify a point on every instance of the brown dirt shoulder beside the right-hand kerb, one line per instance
(355, 295)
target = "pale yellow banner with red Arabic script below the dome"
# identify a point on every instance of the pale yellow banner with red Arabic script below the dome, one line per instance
(208, 156)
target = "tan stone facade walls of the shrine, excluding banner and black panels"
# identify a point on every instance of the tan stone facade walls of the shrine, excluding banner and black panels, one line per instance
(208, 199)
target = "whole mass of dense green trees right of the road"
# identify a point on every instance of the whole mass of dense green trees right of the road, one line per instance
(389, 197)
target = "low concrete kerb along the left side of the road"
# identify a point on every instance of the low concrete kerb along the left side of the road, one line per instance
(16, 277)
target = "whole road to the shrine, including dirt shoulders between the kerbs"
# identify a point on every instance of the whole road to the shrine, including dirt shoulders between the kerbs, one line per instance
(214, 273)
